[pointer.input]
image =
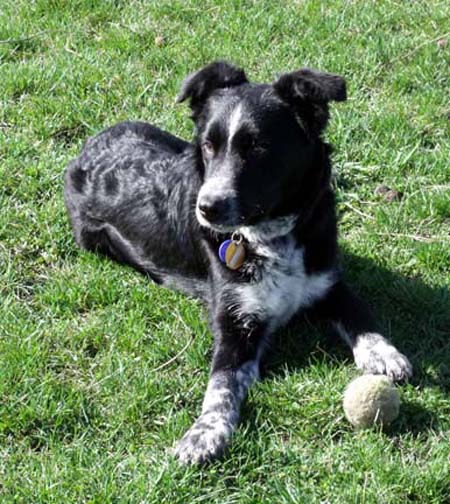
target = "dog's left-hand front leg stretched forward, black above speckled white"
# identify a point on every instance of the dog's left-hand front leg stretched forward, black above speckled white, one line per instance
(235, 367)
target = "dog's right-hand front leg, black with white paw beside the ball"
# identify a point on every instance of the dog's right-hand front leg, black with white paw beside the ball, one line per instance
(373, 353)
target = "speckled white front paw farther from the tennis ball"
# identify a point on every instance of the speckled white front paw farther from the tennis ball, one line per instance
(205, 440)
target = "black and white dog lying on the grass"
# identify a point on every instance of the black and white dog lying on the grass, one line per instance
(257, 174)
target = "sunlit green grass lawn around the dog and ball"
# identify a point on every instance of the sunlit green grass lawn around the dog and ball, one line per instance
(85, 413)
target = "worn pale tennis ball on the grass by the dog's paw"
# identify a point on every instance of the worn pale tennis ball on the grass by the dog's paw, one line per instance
(371, 399)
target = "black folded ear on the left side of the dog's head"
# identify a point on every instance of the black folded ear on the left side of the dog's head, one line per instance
(199, 85)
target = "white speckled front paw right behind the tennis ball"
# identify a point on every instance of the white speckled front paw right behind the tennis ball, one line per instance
(374, 354)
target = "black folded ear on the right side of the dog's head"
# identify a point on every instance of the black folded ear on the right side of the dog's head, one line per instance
(309, 92)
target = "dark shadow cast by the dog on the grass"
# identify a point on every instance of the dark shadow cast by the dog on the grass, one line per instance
(414, 315)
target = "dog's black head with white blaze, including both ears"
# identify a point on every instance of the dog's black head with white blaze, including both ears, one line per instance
(259, 143)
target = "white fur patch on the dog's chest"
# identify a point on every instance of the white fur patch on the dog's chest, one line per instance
(284, 286)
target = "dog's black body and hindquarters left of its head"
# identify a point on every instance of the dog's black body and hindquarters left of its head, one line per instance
(131, 195)
